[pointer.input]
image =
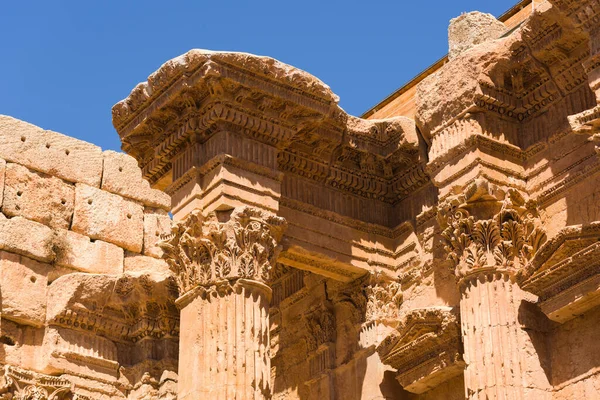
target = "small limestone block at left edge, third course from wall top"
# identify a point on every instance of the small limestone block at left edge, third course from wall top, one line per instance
(31, 239)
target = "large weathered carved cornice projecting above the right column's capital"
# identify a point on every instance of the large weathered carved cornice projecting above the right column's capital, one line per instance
(530, 73)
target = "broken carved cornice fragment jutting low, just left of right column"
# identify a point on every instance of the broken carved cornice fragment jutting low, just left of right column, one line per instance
(425, 349)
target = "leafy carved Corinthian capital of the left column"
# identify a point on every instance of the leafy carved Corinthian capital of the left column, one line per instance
(202, 251)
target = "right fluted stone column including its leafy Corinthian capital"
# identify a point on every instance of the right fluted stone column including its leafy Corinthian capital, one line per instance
(491, 235)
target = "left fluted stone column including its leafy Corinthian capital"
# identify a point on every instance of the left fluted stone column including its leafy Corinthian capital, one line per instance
(222, 264)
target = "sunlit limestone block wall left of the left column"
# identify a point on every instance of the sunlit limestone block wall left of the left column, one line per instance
(84, 293)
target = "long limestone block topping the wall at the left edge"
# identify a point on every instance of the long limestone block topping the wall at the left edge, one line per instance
(50, 152)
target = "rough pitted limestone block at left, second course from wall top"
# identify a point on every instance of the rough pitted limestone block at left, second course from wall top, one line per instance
(37, 196)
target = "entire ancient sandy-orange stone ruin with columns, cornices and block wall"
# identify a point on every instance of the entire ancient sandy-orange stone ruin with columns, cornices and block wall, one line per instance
(444, 246)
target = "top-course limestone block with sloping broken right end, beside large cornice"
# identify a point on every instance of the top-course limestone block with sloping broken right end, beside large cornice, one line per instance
(122, 176)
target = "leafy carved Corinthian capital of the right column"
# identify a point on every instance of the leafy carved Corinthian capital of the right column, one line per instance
(508, 240)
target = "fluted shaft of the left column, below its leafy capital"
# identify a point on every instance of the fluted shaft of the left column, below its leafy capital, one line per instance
(225, 340)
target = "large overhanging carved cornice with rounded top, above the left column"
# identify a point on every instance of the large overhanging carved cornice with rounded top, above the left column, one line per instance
(195, 96)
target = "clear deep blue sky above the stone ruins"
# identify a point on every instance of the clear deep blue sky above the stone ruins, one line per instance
(64, 64)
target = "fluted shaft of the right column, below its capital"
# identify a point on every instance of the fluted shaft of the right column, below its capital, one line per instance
(492, 336)
